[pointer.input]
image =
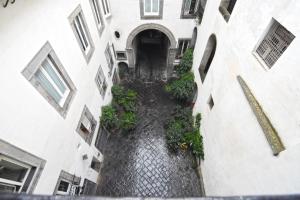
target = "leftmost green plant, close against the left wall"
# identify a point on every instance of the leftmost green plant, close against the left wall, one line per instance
(109, 118)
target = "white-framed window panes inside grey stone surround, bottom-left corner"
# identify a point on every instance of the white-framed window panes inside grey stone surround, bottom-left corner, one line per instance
(13, 174)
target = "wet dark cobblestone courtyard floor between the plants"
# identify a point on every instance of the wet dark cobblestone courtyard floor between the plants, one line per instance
(138, 164)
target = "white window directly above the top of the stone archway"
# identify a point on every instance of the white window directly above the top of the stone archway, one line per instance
(151, 9)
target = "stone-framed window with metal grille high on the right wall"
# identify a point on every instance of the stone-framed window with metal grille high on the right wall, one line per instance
(274, 43)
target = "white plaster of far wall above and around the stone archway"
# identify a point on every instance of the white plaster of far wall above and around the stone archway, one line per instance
(126, 17)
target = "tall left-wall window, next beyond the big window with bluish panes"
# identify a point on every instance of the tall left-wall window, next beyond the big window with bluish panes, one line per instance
(81, 33)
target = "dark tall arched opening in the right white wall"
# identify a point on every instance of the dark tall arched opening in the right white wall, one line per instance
(208, 56)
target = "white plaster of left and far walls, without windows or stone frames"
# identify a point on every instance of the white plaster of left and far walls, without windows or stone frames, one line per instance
(28, 121)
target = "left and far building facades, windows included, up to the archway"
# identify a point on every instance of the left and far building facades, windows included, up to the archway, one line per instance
(59, 62)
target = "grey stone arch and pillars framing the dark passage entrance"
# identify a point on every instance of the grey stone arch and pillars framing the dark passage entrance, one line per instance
(171, 51)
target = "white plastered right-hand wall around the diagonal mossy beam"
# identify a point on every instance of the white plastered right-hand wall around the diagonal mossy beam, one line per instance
(238, 158)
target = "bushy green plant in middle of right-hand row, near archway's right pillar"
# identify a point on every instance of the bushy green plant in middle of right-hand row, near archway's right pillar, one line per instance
(183, 87)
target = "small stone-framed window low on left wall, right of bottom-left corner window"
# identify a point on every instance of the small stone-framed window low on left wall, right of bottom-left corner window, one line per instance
(67, 184)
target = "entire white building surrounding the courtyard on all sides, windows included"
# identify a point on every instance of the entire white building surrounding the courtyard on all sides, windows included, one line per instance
(60, 58)
